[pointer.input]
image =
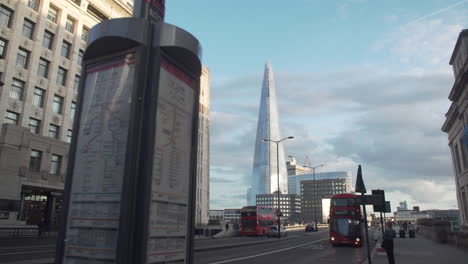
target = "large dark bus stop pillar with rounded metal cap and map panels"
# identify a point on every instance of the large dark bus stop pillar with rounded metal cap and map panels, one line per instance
(130, 186)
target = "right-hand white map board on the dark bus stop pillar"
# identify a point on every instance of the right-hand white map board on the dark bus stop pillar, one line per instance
(169, 206)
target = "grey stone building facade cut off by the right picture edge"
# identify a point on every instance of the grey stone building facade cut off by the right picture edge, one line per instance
(455, 124)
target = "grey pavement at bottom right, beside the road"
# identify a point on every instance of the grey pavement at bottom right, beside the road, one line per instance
(421, 250)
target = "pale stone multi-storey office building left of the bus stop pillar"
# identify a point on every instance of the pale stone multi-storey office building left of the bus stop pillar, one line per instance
(42, 43)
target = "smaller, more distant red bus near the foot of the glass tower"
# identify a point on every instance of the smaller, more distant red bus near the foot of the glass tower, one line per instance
(255, 220)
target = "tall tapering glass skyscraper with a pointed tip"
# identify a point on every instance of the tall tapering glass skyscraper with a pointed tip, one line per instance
(264, 173)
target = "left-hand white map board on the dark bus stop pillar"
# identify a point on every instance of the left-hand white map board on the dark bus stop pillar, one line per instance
(94, 208)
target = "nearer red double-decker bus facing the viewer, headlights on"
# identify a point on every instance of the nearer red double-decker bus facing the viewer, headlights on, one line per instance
(345, 220)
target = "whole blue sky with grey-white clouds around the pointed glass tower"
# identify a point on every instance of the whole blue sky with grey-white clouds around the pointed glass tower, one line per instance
(358, 82)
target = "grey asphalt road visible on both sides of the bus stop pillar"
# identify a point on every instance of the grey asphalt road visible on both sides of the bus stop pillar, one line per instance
(298, 247)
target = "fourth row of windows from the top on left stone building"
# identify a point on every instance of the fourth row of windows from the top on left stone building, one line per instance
(17, 92)
